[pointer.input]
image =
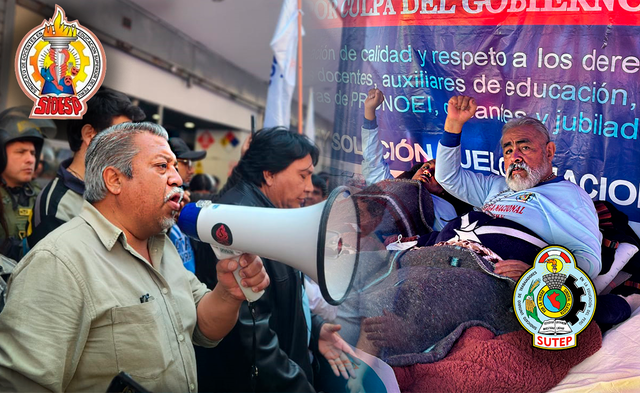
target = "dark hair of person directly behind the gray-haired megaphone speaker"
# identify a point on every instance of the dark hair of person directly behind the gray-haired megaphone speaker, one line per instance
(101, 109)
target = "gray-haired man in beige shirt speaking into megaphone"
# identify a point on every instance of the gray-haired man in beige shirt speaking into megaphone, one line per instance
(106, 292)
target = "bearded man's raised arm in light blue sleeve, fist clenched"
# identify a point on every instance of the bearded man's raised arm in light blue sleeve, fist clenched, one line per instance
(468, 186)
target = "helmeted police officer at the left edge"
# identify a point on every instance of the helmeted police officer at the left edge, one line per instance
(20, 146)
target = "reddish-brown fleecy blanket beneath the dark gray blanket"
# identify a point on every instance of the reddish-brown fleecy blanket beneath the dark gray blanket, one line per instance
(483, 362)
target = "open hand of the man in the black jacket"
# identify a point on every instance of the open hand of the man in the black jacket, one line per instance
(335, 350)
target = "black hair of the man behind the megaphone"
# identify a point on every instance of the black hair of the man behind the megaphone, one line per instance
(273, 150)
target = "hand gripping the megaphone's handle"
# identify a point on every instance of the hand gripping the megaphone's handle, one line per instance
(253, 275)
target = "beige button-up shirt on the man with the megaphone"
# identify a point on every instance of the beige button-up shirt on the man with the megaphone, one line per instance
(74, 318)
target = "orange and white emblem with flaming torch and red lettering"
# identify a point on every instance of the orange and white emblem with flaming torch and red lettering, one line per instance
(59, 66)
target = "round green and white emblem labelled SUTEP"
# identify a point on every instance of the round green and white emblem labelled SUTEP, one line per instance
(554, 300)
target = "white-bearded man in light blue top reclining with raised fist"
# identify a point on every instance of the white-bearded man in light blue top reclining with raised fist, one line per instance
(529, 194)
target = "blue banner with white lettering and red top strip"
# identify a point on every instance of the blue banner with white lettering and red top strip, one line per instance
(581, 80)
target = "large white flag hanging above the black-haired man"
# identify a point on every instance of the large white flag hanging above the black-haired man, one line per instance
(283, 69)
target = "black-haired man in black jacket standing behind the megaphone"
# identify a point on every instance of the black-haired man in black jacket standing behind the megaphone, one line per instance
(274, 172)
